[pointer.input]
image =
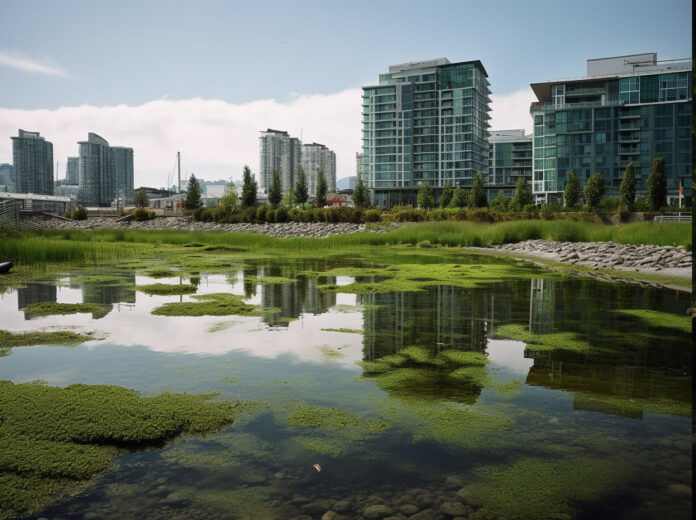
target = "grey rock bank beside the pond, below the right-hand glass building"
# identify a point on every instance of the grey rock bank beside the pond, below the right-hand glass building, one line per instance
(674, 260)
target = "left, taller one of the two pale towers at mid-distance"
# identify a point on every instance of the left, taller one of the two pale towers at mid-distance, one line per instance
(278, 152)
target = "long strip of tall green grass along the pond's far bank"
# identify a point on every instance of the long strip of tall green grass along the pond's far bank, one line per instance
(100, 245)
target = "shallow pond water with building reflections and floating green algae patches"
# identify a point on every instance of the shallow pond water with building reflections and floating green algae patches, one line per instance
(434, 385)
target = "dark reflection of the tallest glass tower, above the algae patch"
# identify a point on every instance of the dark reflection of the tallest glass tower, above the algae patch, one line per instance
(441, 317)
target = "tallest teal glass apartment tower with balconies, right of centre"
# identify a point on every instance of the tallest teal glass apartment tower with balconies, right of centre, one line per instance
(426, 121)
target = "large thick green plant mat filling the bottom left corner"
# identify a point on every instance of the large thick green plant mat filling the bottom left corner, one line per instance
(52, 437)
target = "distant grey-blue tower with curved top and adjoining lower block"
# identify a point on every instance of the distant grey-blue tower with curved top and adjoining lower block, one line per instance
(105, 172)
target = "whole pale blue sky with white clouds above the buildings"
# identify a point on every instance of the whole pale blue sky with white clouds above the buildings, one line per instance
(205, 77)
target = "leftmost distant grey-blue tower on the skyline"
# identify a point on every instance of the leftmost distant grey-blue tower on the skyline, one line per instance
(32, 156)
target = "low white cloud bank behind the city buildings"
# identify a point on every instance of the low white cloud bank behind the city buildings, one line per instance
(216, 138)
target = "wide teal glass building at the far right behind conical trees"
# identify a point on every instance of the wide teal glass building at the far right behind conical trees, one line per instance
(628, 108)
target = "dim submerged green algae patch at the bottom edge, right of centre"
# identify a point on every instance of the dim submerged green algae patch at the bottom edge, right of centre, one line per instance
(533, 488)
